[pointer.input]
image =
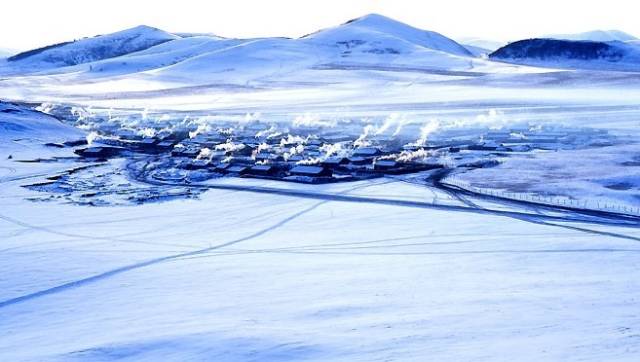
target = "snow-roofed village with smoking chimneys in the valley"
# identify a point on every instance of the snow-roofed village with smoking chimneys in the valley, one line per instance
(312, 155)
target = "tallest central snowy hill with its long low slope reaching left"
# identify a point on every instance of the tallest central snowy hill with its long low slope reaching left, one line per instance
(372, 40)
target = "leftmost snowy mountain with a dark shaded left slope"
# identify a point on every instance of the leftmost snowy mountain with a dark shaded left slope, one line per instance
(90, 49)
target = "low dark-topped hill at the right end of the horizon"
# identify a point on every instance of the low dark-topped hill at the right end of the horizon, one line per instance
(614, 55)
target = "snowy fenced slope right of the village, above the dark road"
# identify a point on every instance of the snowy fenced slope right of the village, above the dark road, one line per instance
(604, 177)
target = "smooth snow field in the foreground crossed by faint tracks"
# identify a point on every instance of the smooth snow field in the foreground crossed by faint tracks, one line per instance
(238, 275)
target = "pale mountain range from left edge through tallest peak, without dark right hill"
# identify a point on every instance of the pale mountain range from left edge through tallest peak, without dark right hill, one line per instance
(372, 40)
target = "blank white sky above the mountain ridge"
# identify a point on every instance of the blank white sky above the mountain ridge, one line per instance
(27, 24)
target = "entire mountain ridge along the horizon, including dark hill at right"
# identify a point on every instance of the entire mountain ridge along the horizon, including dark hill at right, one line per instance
(370, 42)
